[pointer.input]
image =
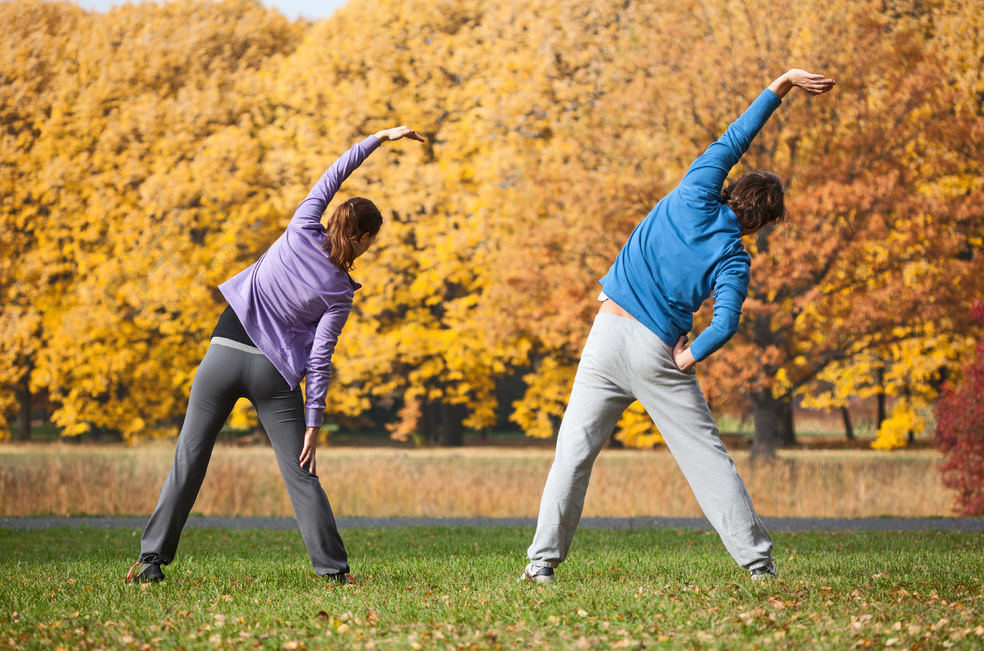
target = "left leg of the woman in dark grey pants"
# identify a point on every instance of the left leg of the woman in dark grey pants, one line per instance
(214, 392)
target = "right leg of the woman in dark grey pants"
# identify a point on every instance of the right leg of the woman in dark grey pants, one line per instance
(281, 411)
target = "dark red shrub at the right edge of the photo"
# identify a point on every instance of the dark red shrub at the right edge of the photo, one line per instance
(960, 432)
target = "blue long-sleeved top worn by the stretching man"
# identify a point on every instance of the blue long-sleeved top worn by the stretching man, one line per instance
(690, 245)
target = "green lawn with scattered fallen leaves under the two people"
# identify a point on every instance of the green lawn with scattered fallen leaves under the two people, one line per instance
(456, 589)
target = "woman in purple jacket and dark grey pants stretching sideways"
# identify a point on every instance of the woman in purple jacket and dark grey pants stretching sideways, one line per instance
(282, 321)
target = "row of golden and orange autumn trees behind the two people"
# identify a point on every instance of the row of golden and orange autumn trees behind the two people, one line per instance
(151, 152)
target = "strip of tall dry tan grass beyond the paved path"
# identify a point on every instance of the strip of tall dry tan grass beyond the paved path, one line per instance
(483, 482)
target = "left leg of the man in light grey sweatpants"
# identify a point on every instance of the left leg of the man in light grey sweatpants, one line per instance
(595, 405)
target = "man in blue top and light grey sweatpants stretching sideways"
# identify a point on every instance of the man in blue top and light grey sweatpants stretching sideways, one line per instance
(686, 248)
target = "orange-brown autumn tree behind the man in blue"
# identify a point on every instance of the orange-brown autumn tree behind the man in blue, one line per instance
(878, 183)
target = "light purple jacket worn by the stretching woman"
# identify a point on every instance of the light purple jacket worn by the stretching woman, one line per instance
(293, 301)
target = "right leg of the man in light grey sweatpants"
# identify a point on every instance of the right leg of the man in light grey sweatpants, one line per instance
(678, 407)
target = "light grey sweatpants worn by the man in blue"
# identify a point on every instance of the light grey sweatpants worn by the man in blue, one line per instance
(624, 361)
